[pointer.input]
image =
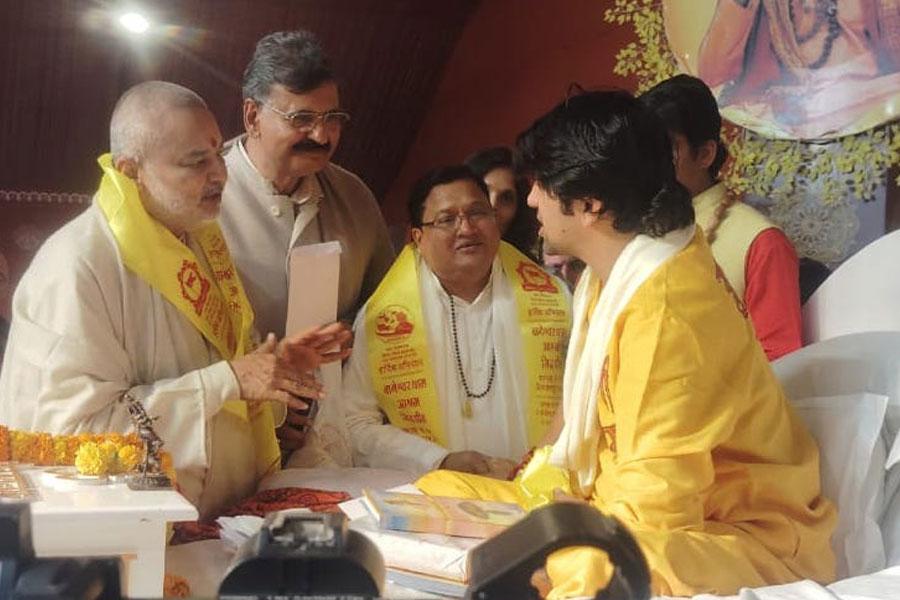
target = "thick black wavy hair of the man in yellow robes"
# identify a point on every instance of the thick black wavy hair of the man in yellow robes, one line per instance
(605, 145)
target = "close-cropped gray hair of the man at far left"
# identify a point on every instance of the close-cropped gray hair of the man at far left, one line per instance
(133, 125)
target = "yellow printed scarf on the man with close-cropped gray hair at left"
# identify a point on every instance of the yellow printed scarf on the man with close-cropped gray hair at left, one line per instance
(215, 303)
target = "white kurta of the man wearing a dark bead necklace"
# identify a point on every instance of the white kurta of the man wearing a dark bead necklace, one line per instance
(498, 423)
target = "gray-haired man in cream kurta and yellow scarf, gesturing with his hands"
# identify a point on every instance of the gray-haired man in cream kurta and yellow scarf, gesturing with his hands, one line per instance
(138, 295)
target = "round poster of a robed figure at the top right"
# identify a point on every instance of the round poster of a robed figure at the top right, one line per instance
(793, 69)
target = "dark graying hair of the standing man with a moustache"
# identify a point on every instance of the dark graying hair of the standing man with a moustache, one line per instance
(294, 59)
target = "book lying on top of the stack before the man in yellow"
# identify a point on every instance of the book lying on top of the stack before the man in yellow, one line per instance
(434, 514)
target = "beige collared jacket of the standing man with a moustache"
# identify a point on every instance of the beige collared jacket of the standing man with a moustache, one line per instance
(261, 226)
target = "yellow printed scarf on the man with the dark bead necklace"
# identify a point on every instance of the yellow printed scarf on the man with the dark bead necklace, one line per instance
(399, 357)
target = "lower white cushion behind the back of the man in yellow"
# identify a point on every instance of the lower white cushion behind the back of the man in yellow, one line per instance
(847, 390)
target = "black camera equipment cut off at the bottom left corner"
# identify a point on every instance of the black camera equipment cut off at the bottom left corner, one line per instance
(24, 577)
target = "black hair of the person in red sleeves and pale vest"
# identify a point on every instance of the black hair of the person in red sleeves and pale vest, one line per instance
(686, 105)
